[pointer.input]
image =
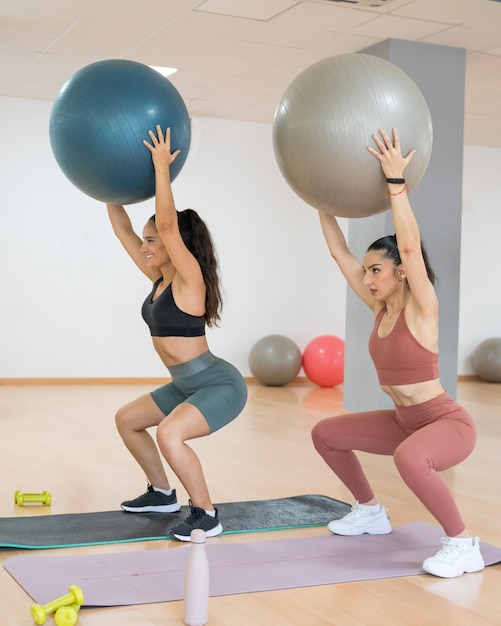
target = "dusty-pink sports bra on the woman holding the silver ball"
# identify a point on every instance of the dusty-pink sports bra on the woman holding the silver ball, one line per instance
(399, 358)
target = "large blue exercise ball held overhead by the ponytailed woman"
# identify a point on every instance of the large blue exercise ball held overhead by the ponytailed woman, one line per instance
(99, 120)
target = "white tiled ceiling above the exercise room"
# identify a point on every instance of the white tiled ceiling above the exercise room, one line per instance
(235, 58)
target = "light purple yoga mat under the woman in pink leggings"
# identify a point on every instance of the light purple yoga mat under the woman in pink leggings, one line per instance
(149, 576)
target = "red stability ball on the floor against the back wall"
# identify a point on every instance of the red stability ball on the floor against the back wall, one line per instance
(323, 361)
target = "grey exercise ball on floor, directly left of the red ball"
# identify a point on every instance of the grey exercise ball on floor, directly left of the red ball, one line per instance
(275, 360)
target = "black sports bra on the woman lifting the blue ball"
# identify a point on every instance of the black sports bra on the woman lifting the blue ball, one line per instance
(166, 319)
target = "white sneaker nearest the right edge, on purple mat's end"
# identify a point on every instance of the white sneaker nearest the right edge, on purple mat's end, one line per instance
(456, 557)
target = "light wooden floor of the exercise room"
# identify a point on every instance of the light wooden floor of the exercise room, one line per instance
(62, 439)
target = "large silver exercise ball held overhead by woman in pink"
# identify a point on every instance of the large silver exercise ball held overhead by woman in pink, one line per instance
(325, 122)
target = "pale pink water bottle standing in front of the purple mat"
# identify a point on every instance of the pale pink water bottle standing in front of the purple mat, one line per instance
(196, 582)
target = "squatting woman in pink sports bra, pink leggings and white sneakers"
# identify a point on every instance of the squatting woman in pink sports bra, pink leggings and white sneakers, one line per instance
(426, 432)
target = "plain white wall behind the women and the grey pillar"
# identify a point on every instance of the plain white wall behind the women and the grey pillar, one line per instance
(70, 297)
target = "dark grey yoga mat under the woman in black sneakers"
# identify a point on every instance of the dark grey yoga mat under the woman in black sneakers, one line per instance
(85, 529)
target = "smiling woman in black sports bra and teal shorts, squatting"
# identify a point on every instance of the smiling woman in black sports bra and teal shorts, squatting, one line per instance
(206, 393)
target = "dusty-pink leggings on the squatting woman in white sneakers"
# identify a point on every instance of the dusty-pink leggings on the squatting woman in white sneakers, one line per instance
(424, 439)
